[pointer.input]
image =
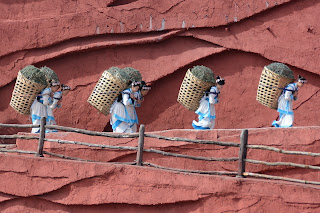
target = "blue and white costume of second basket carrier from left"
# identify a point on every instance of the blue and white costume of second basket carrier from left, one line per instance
(124, 117)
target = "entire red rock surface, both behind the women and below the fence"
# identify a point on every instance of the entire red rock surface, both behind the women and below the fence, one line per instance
(235, 38)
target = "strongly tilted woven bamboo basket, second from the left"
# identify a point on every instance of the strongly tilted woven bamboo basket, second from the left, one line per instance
(106, 92)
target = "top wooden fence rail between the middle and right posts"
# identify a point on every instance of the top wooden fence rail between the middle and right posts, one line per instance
(192, 140)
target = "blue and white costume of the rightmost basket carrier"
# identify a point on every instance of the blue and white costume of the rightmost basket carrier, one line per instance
(285, 106)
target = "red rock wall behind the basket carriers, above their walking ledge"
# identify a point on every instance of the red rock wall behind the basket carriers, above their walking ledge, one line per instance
(80, 39)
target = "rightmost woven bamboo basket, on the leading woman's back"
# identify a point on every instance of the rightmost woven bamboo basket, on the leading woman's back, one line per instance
(270, 88)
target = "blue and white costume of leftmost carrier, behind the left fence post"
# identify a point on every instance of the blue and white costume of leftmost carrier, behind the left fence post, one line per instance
(39, 108)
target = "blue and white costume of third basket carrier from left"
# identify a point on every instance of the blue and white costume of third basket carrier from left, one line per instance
(206, 110)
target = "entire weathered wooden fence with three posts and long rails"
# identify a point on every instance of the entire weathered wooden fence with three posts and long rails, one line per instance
(241, 158)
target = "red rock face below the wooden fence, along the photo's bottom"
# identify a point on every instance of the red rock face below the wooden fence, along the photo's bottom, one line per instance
(91, 187)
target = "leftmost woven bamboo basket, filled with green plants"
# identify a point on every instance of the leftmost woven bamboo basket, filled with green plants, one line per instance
(24, 93)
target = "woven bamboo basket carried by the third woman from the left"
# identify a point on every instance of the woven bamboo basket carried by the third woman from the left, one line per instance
(192, 90)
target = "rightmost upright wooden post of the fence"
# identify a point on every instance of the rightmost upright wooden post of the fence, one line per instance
(242, 153)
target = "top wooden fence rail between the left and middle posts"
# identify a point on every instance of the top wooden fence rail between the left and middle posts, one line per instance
(88, 132)
